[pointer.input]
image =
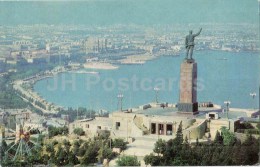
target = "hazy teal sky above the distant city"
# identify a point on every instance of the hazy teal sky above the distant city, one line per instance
(143, 12)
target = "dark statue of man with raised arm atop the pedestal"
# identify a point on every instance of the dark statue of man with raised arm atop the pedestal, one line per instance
(189, 43)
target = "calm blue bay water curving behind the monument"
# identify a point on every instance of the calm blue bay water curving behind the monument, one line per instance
(221, 76)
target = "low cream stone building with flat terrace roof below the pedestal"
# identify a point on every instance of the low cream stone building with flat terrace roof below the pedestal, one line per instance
(162, 122)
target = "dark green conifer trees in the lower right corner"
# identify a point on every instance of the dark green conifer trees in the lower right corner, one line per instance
(224, 150)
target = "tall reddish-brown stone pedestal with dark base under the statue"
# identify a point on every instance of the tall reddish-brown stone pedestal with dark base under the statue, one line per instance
(188, 87)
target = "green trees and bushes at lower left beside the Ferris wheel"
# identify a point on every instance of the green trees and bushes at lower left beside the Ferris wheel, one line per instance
(65, 153)
